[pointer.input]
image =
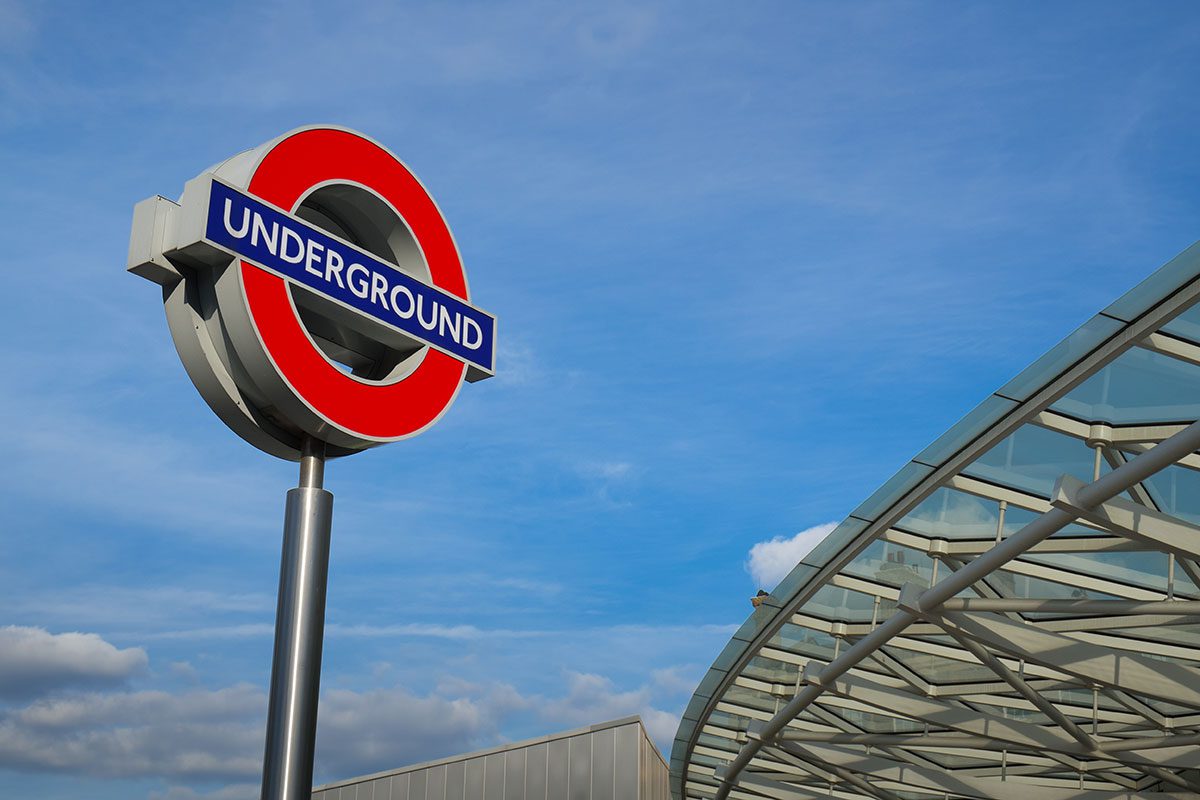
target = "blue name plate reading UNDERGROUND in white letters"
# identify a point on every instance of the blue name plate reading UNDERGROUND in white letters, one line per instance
(295, 250)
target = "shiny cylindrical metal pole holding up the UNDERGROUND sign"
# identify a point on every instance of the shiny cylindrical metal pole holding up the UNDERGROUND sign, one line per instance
(299, 630)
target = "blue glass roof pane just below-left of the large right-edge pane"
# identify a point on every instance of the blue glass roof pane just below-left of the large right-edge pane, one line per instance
(1034, 459)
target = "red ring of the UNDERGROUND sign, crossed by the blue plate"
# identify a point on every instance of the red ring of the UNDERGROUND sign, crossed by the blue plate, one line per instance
(374, 412)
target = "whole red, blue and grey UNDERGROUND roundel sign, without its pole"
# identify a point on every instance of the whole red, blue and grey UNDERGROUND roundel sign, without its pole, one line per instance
(314, 290)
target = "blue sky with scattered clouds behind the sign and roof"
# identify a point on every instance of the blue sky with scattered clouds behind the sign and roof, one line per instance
(747, 263)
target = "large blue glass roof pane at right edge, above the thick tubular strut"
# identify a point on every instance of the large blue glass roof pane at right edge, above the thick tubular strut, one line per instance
(1141, 387)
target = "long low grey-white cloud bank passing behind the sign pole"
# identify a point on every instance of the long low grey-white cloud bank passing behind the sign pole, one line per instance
(217, 736)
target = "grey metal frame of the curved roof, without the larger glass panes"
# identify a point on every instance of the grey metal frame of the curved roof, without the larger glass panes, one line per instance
(1024, 732)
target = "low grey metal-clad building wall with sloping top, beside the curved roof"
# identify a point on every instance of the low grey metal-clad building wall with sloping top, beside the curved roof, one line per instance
(610, 762)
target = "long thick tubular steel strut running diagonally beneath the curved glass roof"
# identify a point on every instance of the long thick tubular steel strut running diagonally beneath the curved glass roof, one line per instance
(1130, 474)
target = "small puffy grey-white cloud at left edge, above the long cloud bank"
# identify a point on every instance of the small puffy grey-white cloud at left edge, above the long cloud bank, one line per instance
(34, 661)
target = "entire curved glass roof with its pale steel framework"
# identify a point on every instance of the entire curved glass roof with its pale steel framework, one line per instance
(1015, 615)
